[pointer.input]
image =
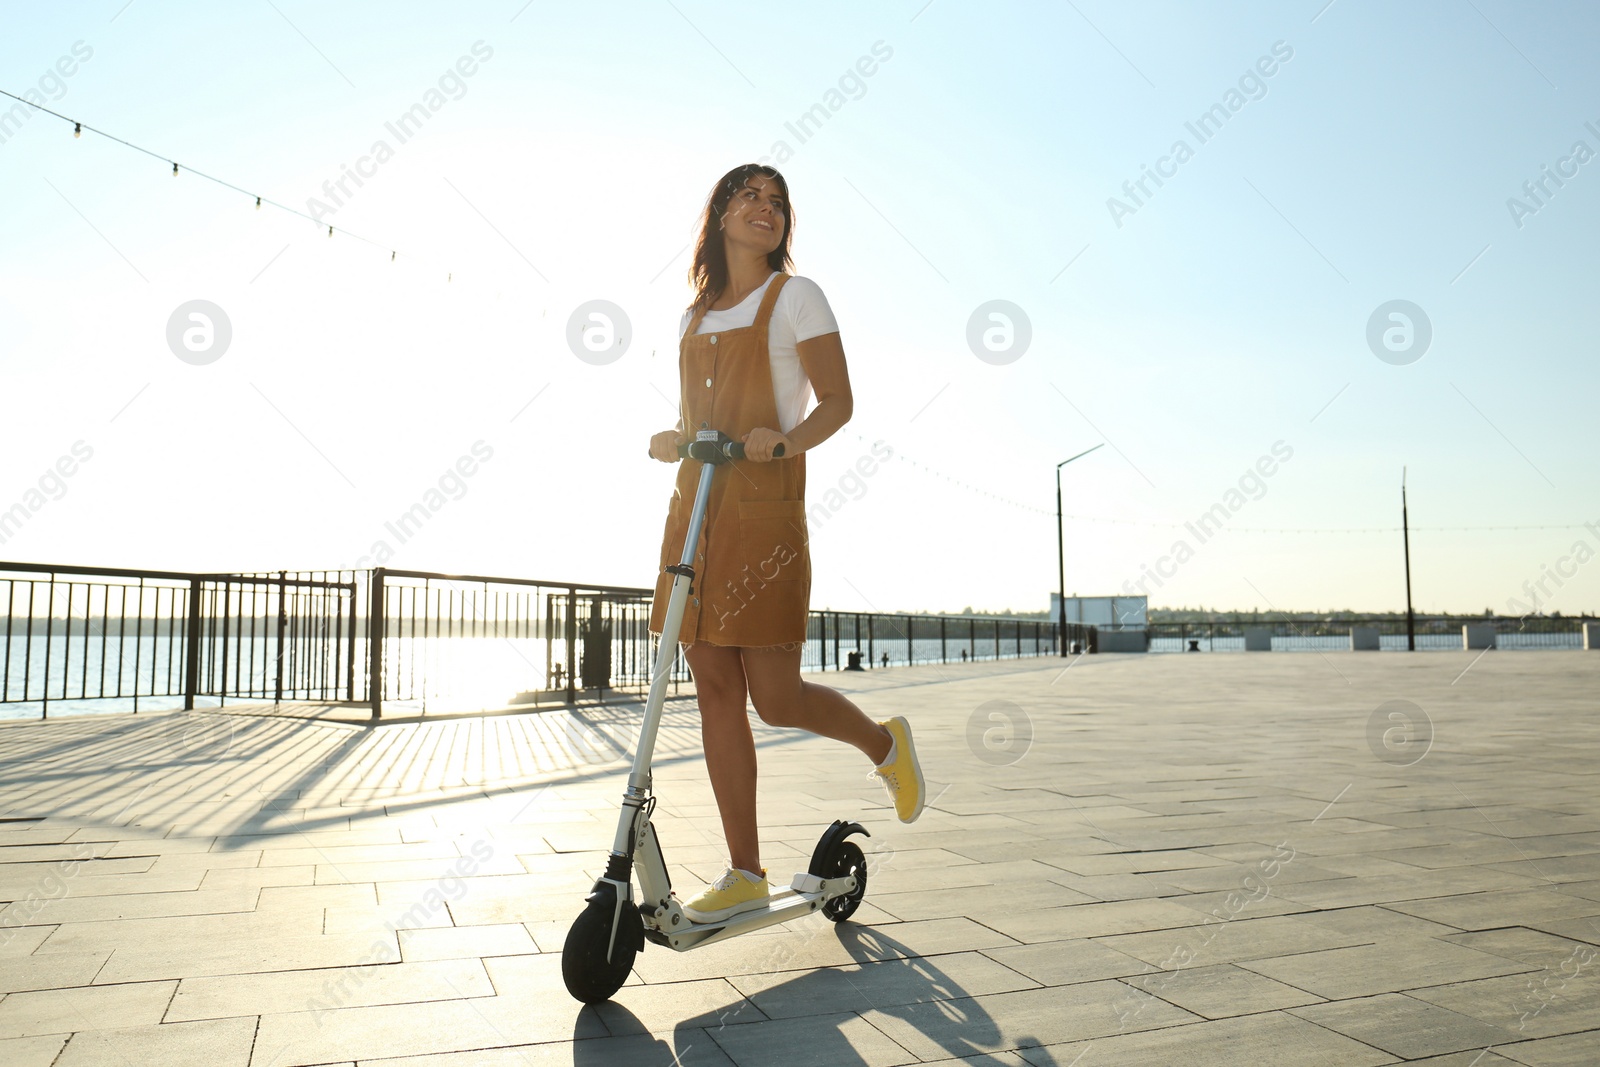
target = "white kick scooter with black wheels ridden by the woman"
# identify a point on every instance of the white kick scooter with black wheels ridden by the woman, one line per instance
(614, 929)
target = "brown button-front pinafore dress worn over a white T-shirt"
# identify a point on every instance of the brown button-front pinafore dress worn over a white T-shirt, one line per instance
(753, 569)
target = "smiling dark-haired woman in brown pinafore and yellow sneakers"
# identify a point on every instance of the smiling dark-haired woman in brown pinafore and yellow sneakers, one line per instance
(756, 343)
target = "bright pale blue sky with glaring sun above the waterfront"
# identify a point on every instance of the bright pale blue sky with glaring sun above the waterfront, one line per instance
(1359, 154)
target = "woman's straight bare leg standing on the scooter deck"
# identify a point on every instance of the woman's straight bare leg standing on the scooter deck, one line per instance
(730, 749)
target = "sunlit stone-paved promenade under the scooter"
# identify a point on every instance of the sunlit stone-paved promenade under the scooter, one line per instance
(1215, 860)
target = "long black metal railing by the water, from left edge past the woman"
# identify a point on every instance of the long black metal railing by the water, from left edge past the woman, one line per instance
(76, 639)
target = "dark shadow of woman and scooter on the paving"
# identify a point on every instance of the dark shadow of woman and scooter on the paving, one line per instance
(905, 997)
